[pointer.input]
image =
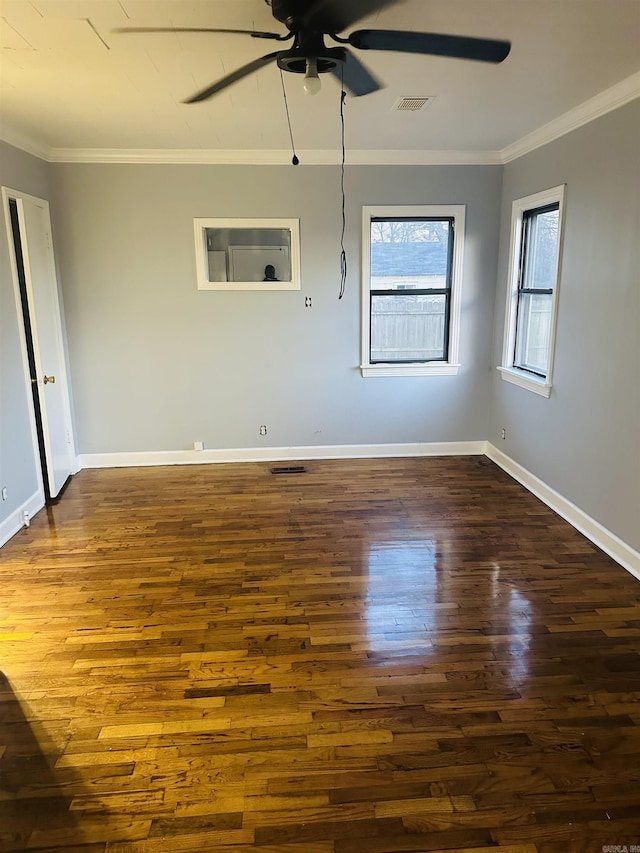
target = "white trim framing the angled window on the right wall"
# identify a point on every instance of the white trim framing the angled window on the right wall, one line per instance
(508, 371)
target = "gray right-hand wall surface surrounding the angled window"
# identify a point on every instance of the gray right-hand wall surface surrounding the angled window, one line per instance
(584, 441)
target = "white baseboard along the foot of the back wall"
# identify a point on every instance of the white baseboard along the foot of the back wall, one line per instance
(280, 454)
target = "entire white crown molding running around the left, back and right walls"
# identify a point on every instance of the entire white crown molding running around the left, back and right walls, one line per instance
(601, 104)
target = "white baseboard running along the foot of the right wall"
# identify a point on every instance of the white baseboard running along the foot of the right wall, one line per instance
(611, 544)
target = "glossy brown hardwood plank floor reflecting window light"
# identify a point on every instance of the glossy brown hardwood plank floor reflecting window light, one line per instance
(370, 657)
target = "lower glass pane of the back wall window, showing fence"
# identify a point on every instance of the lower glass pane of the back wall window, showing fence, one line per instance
(408, 327)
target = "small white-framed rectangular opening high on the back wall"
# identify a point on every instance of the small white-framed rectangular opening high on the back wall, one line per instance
(247, 254)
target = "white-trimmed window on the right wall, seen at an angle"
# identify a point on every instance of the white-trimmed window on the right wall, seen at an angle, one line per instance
(536, 225)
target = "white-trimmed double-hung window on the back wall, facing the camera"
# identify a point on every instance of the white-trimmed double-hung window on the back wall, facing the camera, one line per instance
(412, 267)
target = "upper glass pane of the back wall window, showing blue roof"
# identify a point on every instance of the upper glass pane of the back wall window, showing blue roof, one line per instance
(410, 254)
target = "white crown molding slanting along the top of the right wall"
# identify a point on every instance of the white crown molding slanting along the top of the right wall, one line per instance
(611, 99)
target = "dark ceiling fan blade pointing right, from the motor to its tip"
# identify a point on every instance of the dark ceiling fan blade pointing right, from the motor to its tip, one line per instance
(460, 47)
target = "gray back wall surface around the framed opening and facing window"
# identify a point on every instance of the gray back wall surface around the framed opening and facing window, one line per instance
(157, 365)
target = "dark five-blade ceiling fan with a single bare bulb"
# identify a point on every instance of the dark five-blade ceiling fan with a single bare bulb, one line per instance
(309, 21)
